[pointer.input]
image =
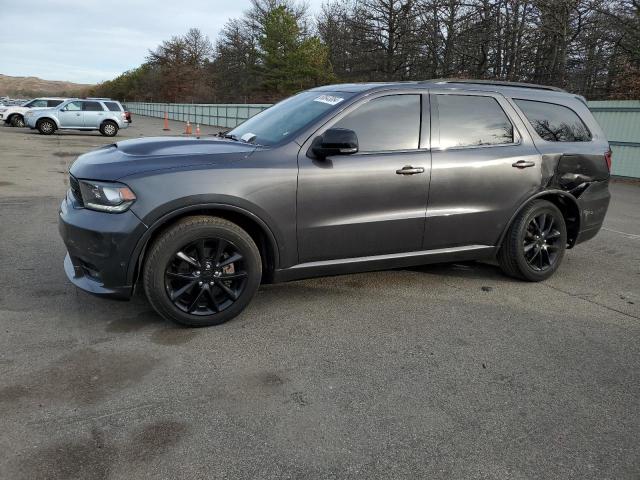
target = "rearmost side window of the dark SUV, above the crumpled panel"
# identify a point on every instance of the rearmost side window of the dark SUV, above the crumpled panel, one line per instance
(554, 123)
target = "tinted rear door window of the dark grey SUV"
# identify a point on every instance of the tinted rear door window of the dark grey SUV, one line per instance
(469, 120)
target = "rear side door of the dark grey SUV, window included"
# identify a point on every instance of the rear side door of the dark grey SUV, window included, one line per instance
(484, 165)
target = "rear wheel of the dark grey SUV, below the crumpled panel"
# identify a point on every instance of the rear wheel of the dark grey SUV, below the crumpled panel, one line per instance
(535, 243)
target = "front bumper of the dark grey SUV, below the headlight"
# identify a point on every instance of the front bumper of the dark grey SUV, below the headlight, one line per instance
(99, 248)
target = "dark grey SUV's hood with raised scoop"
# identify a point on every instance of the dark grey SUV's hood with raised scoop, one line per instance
(132, 157)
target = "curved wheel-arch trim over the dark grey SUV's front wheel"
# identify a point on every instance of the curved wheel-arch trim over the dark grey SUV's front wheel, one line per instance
(141, 245)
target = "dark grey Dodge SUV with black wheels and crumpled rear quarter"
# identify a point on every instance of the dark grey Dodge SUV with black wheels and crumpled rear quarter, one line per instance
(339, 179)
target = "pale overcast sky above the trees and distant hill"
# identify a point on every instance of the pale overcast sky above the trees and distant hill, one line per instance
(88, 41)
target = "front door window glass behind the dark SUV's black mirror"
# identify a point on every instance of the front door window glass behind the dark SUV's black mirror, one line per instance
(386, 123)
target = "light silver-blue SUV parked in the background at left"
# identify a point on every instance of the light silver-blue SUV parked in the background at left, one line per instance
(107, 116)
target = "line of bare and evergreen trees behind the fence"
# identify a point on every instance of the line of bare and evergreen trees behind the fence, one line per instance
(590, 47)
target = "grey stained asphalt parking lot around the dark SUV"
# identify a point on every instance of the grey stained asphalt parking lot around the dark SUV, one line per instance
(444, 371)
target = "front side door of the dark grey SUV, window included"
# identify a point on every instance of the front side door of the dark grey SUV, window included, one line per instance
(363, 204)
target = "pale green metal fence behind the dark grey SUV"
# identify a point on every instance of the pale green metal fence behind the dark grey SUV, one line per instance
(620, 120)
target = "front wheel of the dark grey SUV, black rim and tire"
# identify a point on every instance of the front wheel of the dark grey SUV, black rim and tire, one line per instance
(192, 292)
